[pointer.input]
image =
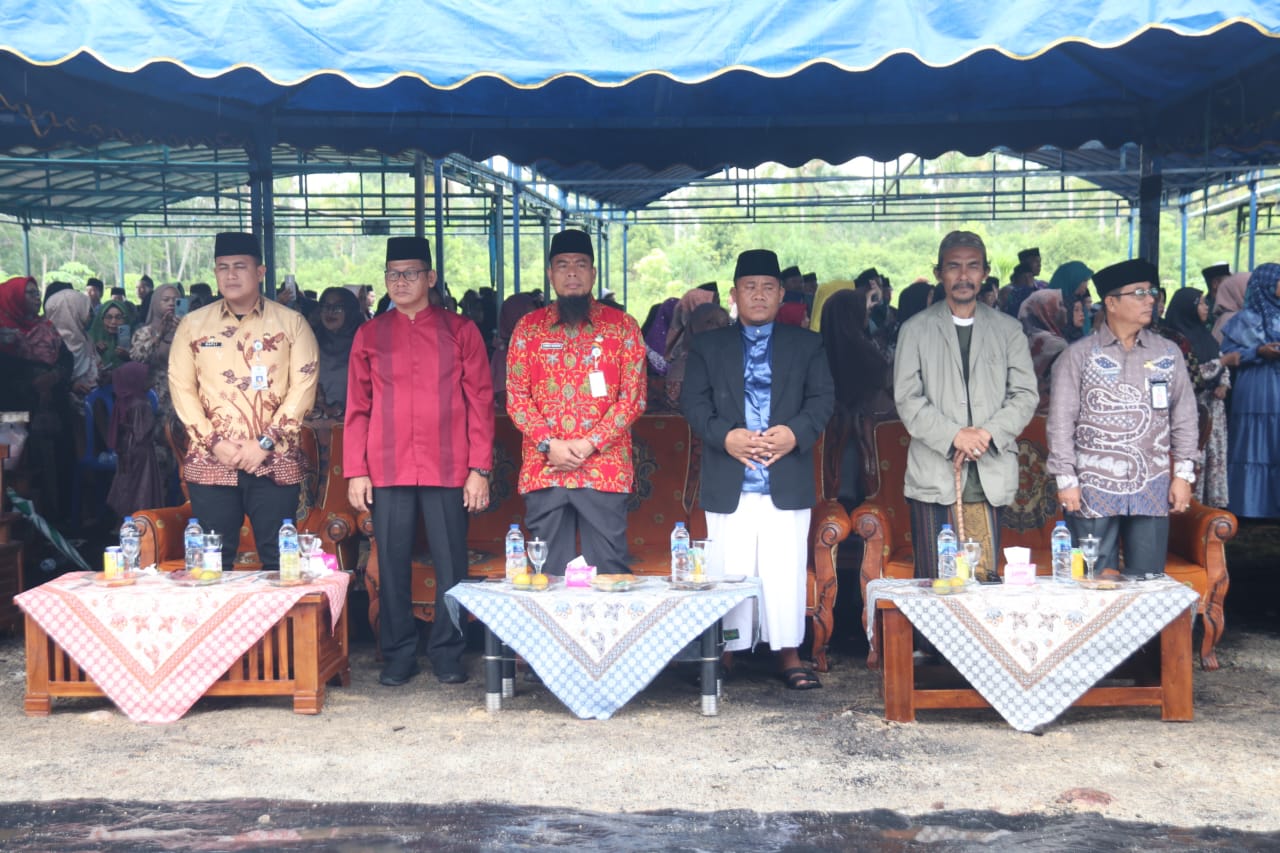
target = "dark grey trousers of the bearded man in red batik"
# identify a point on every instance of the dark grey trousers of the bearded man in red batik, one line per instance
(561, 516)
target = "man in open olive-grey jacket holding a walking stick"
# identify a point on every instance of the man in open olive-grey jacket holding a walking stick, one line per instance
(966, 389)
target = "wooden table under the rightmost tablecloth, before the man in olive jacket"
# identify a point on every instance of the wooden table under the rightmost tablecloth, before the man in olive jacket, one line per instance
(904, 695)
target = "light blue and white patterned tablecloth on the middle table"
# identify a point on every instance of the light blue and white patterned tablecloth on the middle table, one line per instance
(593, 650)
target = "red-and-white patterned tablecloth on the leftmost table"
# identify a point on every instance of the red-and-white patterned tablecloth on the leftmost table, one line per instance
(156, 647)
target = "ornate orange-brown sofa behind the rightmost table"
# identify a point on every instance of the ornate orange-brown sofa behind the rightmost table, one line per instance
(1196, 539)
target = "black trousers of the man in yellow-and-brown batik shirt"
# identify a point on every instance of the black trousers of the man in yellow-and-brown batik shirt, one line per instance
(223, 509)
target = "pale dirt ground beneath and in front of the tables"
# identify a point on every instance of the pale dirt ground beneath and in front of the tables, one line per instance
(769, 751)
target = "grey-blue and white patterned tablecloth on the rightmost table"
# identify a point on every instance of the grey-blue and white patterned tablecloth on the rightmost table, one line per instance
(1034, 651)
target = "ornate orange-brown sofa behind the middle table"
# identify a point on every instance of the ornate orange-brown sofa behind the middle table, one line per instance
(665, 492)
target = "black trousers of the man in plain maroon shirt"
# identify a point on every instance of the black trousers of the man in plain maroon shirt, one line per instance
(396, 510)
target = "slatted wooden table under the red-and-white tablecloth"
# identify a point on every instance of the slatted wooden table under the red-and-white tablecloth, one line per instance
(299, 656)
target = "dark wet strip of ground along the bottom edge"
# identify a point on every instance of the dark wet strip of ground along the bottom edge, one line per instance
(272, 825)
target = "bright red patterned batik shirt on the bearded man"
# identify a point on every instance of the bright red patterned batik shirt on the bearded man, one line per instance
(550, 395)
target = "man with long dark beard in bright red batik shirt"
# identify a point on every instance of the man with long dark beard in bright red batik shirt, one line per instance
(575, 385)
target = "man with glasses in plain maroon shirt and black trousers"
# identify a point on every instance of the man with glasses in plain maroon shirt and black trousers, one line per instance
(419, 439)
